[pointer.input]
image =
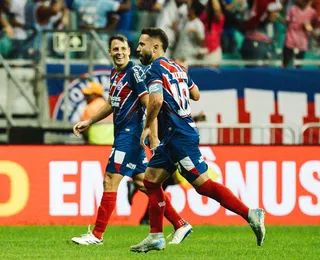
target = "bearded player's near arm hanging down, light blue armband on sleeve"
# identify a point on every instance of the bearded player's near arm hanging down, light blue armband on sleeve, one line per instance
(153, 108)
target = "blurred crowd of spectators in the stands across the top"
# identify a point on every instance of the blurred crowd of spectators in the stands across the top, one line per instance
(199, 31)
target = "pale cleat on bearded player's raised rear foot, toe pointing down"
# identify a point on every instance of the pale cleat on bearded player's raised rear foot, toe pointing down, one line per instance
(256, 222)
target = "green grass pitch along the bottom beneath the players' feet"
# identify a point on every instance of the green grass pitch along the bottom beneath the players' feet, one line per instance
(206, 242)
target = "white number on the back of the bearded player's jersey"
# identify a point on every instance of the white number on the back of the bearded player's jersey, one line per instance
(181, 96)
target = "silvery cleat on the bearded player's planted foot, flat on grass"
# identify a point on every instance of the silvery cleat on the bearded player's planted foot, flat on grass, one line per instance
(154, 241)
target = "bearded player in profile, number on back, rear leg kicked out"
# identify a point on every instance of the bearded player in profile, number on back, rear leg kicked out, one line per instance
(170, 88)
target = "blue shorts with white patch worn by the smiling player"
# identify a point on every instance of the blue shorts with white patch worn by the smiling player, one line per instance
(127, 157)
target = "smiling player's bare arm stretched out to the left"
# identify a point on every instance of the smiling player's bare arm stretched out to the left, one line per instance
(102, 113)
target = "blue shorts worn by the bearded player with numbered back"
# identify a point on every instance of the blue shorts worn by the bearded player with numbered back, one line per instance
(180, 152)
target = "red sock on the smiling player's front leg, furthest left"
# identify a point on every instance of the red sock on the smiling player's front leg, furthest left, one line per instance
(105, 210)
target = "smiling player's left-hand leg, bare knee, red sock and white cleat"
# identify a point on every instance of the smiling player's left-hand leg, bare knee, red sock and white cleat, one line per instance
(107, 205)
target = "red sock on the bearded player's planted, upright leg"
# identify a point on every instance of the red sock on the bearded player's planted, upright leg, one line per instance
(156, 205)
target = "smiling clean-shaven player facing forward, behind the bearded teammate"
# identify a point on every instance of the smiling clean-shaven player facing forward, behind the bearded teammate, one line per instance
(127, 100)
